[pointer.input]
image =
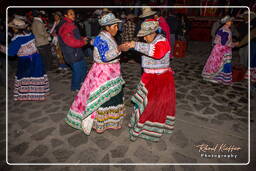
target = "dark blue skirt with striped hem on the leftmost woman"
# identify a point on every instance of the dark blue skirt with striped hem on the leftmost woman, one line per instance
(31, 82)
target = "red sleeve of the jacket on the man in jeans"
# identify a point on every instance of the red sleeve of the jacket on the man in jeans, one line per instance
(67, 34)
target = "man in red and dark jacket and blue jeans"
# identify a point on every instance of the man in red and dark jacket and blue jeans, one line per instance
(71, 43)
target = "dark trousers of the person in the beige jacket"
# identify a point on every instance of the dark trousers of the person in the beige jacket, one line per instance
(47, 57)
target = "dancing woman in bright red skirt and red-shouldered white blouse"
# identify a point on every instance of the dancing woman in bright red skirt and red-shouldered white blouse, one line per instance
(155, 99)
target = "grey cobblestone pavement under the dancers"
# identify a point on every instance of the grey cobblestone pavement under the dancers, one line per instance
(206, 113)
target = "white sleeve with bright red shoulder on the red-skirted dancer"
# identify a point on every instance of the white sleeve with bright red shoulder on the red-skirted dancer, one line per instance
(155, 50)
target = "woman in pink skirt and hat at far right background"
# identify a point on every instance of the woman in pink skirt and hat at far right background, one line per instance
(218, 68)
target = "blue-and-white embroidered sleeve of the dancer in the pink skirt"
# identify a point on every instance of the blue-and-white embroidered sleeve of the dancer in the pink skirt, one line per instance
(107, 49)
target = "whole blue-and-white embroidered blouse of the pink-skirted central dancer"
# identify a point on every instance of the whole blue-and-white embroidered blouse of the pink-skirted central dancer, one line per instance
(105, 48)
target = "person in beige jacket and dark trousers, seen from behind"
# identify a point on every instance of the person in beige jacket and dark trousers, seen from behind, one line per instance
(42, 39)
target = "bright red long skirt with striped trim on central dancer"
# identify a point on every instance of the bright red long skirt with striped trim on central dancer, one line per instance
(154, 107)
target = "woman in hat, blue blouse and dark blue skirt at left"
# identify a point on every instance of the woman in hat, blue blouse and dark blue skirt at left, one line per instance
(31, 82)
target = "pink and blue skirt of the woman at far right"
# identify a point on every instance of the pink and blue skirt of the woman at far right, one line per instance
(218, 68)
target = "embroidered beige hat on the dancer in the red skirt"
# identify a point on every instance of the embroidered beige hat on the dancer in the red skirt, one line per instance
(147, 27)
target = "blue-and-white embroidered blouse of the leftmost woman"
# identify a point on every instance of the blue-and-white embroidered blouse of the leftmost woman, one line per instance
(22, 45)
